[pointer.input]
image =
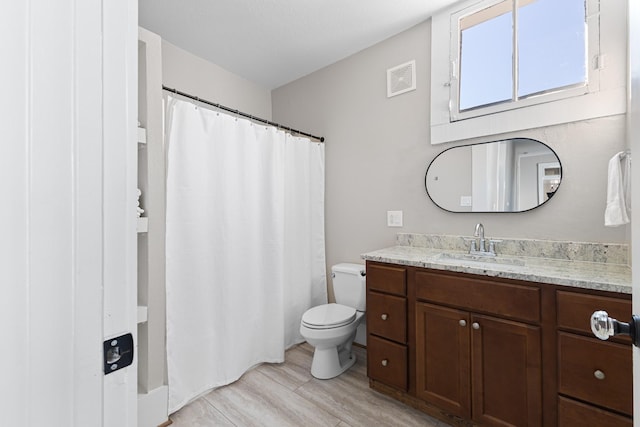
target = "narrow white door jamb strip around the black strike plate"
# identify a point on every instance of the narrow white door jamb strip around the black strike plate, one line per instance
(120, 115)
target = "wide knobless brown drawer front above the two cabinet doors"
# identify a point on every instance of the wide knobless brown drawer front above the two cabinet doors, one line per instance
(505, 299)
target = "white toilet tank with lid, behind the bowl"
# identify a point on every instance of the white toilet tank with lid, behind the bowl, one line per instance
(349, 285)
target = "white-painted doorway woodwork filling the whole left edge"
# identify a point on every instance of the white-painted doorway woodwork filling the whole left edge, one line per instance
(66, 122)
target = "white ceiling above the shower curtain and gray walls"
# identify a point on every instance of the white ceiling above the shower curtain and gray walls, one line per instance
(273, 42)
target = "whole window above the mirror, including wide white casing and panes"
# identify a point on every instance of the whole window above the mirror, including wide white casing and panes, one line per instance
(501, 66)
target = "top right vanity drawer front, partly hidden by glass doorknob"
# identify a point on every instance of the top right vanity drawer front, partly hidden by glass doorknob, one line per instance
(575, 310)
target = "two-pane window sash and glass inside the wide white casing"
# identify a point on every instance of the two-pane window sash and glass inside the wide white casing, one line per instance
(515, 50)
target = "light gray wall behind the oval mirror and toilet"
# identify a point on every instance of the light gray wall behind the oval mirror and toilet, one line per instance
(378, 149)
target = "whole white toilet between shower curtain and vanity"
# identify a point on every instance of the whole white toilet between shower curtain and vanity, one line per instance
(331, 328)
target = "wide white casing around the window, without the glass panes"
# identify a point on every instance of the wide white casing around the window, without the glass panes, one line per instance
(604, 94)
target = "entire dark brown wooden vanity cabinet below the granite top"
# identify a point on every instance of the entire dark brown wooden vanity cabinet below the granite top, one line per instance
(477, 350)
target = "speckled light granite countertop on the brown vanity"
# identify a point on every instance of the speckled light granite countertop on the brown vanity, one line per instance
(604, 276)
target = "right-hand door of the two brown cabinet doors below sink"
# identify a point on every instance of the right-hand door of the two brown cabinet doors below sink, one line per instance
(506, 372)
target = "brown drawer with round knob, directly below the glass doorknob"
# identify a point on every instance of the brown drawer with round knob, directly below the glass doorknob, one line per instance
(582, 360)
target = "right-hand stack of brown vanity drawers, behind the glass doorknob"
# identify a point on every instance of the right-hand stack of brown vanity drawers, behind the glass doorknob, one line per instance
(594, 377)
